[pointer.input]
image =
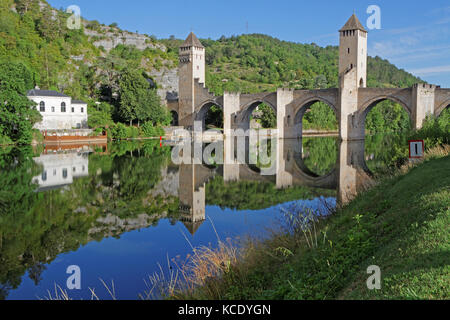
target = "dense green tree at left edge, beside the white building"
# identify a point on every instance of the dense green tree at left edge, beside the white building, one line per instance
(17, 112)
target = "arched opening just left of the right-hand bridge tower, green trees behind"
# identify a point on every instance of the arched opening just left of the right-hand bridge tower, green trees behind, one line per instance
(316, 116)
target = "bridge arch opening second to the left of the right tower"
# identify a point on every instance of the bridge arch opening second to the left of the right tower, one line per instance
(259, 115)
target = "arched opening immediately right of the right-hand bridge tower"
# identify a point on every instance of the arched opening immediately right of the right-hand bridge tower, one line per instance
(386, 116)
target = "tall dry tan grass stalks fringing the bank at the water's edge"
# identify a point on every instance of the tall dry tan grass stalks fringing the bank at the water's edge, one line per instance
(208, 271)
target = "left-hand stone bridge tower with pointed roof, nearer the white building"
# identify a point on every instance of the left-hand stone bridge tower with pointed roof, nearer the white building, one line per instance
(191, 67)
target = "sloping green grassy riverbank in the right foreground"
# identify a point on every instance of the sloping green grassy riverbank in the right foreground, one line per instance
(401, 225)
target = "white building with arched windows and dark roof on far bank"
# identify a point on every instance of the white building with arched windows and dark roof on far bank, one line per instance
(59, 112)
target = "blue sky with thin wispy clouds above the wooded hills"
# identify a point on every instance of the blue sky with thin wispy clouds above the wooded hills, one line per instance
(414, 35)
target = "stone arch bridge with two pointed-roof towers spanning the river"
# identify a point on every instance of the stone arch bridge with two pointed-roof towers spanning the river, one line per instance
(351, 102)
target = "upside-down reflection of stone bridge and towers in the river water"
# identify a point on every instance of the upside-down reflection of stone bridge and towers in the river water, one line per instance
(349, 175)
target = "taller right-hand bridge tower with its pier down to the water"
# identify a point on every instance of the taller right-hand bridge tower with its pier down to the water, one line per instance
(352, 75)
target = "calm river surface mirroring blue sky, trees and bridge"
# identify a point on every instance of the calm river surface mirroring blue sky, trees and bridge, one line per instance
(120, 211)
